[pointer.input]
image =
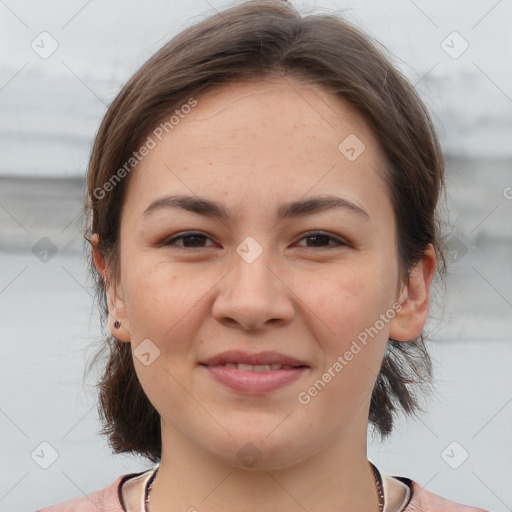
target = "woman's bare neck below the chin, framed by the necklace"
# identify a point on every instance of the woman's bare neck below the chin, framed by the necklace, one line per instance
(338, 478)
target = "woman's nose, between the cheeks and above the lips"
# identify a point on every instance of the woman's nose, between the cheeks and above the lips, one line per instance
(253, 295)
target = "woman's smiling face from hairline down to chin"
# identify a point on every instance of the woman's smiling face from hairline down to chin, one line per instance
(267, 282)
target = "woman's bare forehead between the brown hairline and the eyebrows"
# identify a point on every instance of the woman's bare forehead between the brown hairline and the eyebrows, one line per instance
(258, 140)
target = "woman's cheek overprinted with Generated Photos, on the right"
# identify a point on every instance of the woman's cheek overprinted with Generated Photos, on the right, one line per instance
(350, 304)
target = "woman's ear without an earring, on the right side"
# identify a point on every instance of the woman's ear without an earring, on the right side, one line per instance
(414, 296)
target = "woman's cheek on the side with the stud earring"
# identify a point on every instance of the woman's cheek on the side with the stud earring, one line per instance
(164, 306)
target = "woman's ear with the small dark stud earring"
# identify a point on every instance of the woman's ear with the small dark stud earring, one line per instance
(116, 305)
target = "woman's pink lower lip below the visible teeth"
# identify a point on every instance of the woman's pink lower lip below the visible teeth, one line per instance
(254, 383)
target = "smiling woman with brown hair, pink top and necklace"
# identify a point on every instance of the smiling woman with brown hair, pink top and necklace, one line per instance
(262, 198)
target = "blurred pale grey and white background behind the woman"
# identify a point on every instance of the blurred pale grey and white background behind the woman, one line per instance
(61, 65)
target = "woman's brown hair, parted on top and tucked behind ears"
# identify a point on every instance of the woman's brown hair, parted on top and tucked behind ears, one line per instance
(255, 40)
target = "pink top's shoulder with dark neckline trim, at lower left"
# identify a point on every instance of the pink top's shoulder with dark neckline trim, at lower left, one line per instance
(103, 500)
